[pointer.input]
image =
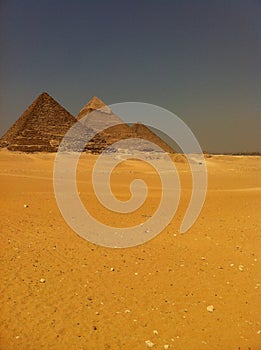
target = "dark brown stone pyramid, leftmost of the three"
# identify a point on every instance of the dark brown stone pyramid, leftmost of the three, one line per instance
(40, 128)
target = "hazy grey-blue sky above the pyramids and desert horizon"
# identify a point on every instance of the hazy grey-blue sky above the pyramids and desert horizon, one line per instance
(199, 59)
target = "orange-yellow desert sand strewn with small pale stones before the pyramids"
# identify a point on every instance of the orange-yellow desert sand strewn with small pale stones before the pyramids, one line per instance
(100, 298)
